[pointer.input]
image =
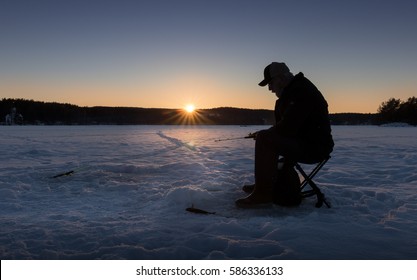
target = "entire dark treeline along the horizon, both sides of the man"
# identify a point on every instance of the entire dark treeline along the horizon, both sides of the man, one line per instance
(22, 111)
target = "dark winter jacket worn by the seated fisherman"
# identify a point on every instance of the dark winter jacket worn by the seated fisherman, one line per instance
(302, 113)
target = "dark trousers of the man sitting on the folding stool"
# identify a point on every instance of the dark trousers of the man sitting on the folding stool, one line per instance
(269, 146)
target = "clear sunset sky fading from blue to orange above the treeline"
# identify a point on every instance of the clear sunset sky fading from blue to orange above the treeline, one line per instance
(166, 54)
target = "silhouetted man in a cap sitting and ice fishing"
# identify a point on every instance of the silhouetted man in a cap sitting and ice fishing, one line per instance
(301, 132)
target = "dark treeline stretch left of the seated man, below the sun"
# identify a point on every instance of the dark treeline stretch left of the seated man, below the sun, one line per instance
(51, 113)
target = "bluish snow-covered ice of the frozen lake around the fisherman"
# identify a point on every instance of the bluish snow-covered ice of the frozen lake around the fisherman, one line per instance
(131, 185)
